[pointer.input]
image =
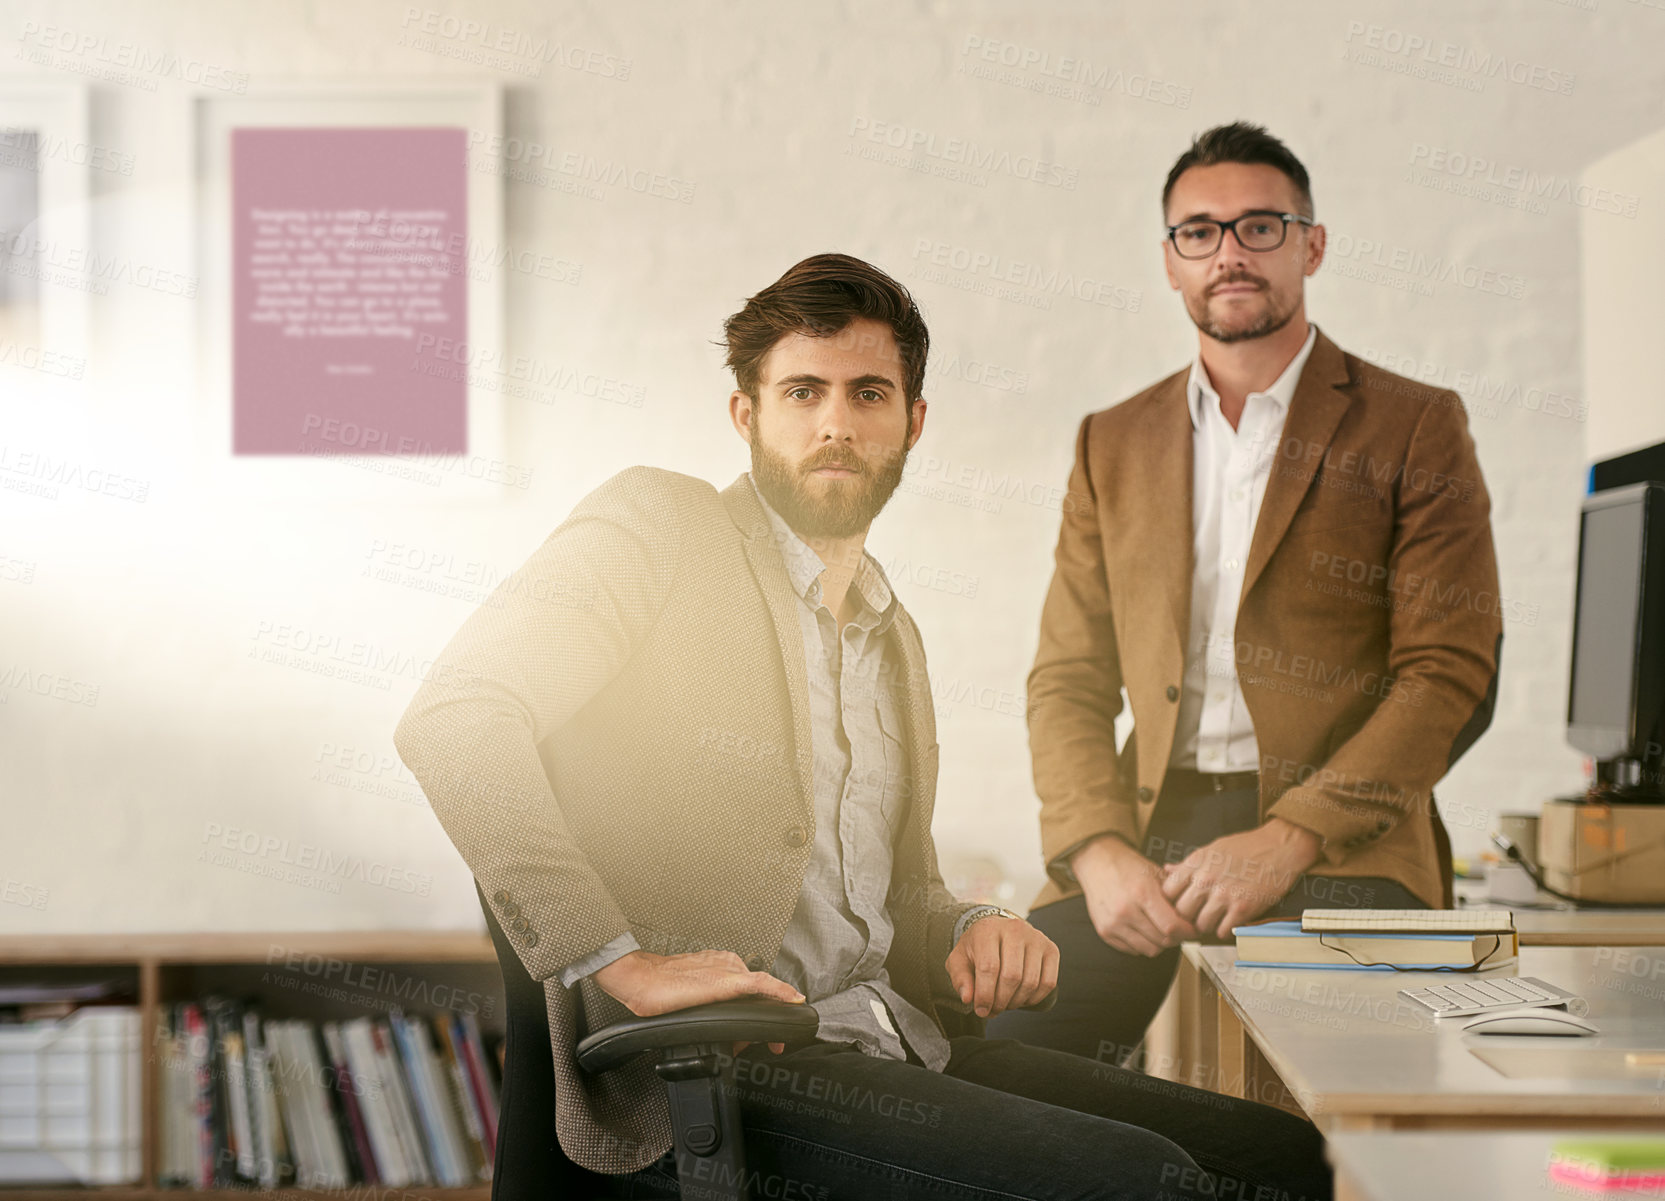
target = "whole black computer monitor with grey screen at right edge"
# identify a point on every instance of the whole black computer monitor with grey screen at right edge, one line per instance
(1616, 707)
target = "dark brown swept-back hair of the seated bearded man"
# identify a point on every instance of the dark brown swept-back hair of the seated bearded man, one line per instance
(820, 297)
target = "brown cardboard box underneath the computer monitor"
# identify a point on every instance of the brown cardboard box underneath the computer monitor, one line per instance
(1604, 852)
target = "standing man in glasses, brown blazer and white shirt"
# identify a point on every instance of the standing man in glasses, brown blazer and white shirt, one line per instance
(1285, 557)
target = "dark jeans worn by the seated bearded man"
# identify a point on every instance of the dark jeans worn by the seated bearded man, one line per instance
(1003, 1122)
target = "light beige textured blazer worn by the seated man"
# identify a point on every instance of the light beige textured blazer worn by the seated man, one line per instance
(619, 740)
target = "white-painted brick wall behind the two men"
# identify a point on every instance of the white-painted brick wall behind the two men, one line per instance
(772, 116)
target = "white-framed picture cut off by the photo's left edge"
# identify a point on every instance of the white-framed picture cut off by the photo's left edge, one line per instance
(47, 264)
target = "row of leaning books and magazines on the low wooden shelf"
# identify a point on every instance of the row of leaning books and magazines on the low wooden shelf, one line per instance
(264, 1102)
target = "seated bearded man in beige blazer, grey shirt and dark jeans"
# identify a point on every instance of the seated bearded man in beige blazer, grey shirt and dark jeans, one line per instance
(688, 754)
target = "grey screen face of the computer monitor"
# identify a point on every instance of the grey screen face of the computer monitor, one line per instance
(1606, 637)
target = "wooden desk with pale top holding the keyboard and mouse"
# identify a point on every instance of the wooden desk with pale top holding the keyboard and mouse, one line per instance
(1348, 1052)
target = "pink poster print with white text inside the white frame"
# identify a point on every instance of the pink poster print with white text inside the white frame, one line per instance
(349, 246)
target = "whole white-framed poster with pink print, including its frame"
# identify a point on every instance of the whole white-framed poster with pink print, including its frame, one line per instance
(347, 286)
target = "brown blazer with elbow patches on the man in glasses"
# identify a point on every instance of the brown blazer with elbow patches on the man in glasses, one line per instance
(1368, 635)
